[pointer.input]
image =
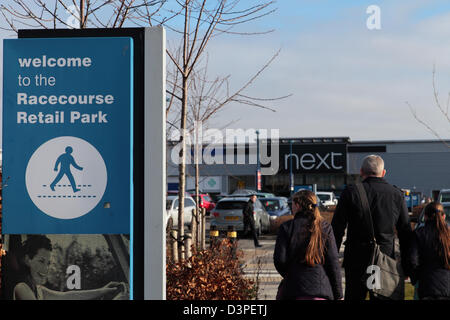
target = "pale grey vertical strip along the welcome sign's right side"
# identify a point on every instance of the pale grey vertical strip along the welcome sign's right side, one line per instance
(155, 164)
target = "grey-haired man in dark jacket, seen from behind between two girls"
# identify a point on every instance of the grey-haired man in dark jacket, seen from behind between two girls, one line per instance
(389, 215)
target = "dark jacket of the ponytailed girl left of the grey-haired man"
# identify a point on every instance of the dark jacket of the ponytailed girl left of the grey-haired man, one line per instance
(322, 280)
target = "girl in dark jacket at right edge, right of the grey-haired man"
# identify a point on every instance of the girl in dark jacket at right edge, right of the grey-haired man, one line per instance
(430, 255)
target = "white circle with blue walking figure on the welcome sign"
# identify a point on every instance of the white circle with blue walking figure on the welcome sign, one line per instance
(67, 184)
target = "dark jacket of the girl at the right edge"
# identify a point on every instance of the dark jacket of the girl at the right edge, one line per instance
(427, 265)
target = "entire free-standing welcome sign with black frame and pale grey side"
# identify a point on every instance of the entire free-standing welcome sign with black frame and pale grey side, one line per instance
(80, 136)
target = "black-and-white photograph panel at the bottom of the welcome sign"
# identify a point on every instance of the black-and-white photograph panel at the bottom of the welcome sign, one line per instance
(66, 267)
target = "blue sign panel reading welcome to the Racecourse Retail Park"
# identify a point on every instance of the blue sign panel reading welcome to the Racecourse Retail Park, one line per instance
(67, 135)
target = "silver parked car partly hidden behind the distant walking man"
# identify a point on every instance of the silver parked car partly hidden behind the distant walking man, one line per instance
(229, 212)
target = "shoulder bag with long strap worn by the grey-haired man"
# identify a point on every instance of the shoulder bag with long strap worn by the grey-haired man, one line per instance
(386, 277)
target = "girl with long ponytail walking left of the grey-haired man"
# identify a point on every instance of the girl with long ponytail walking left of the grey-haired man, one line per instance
(305, 253)
